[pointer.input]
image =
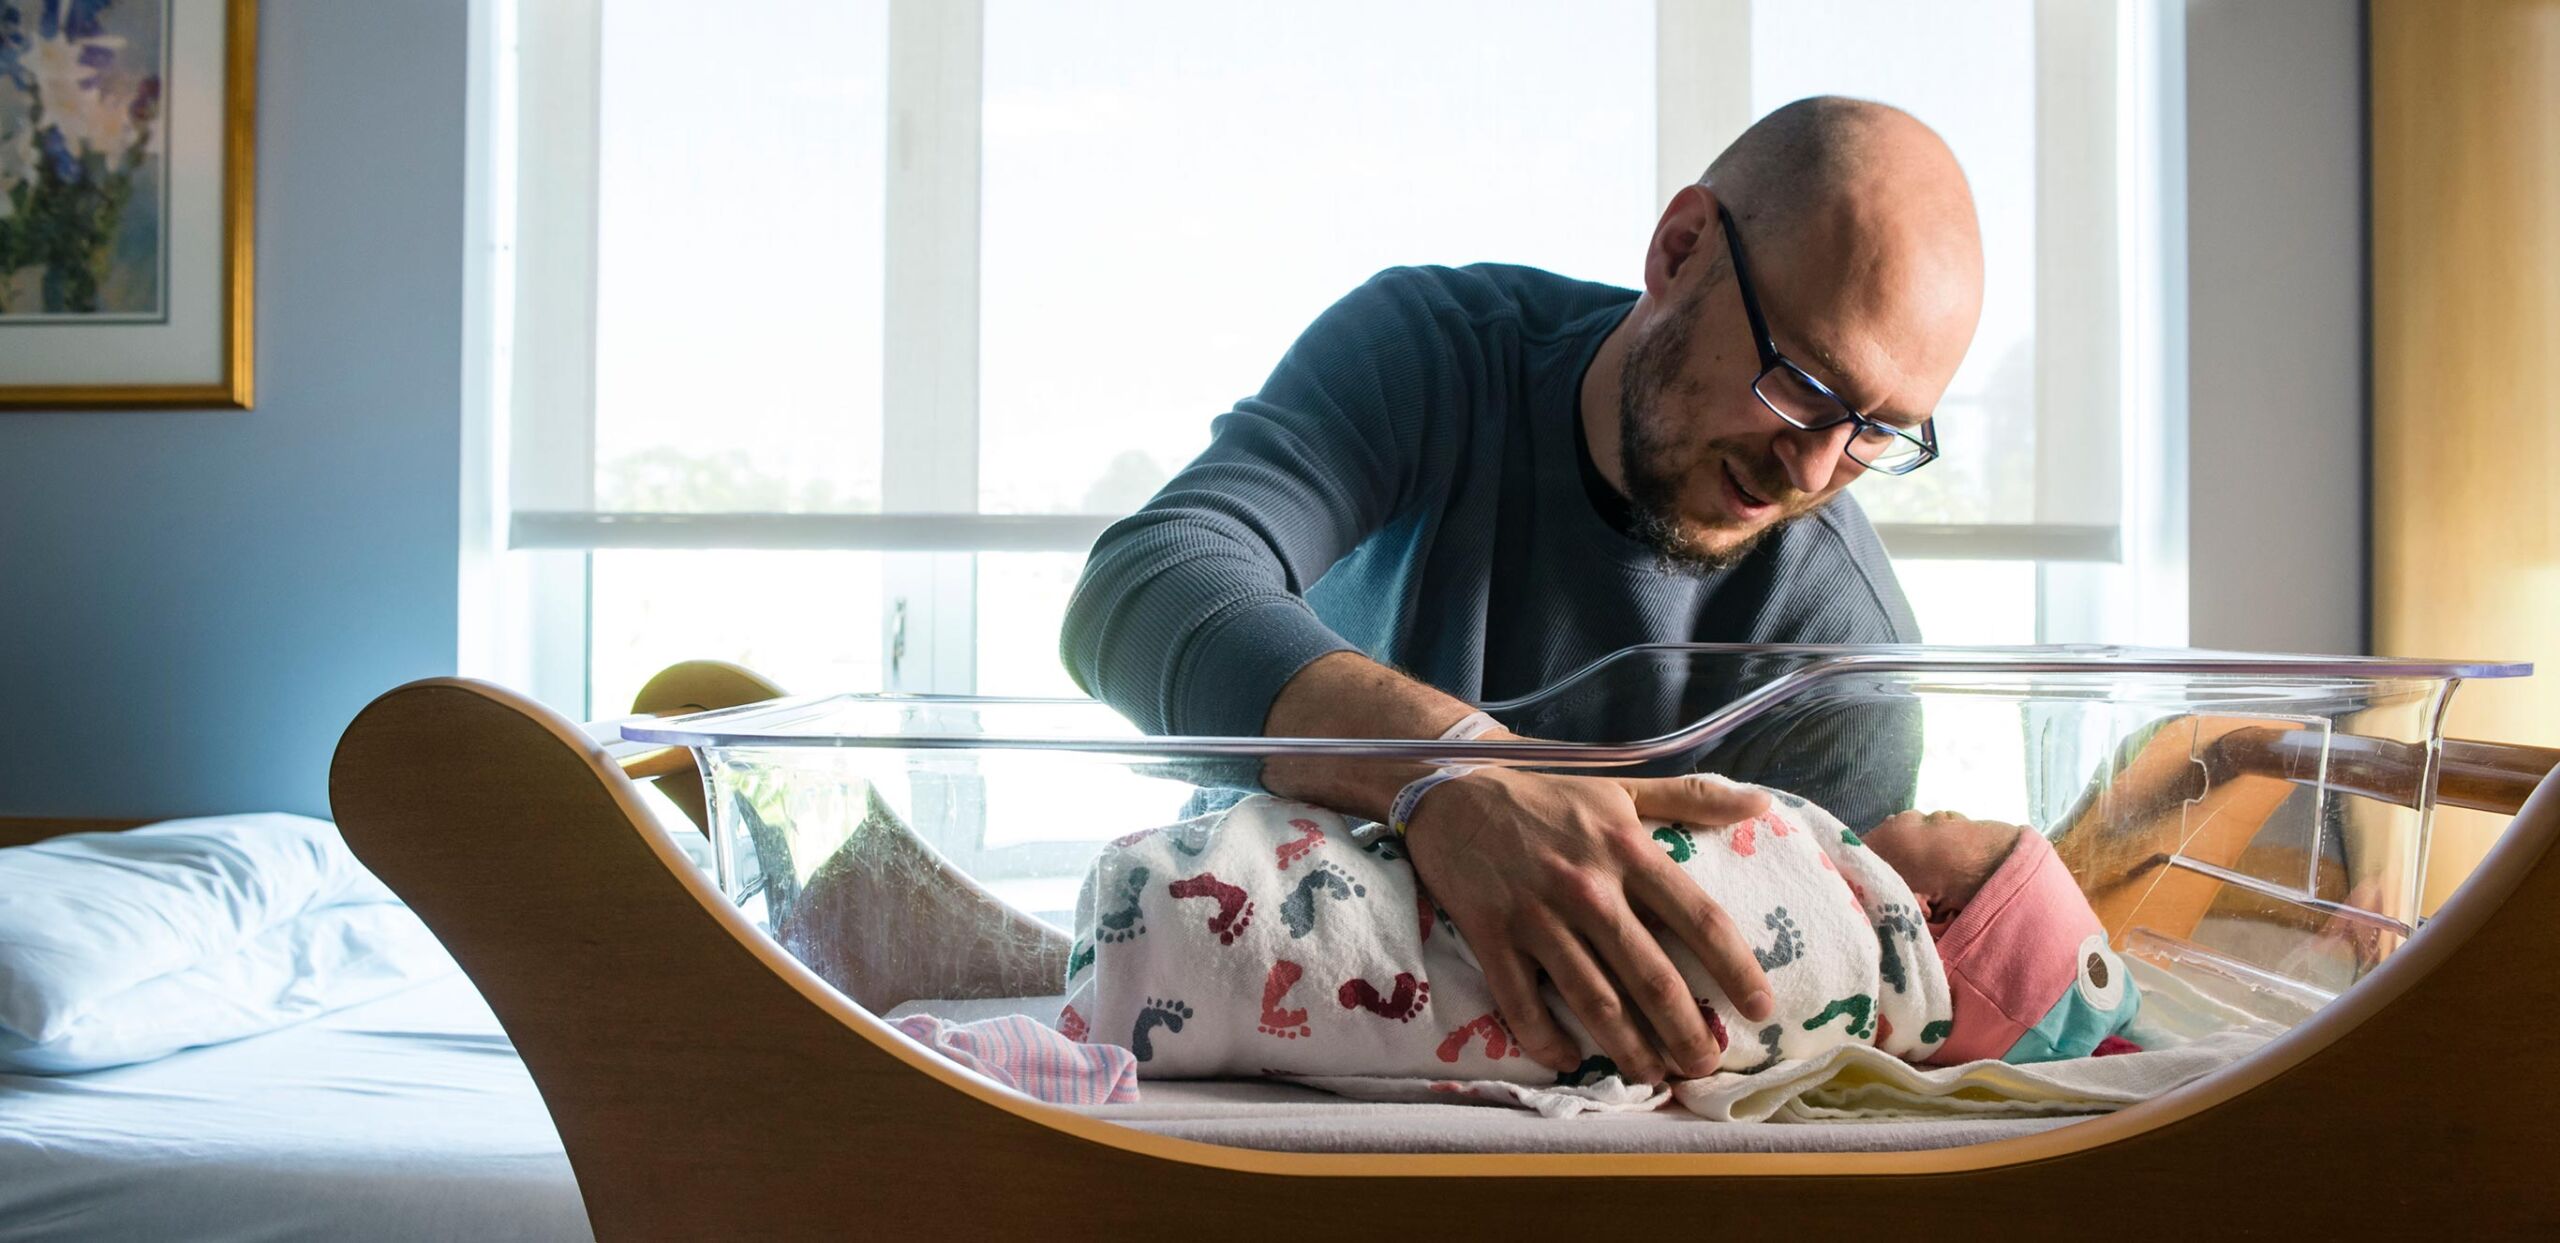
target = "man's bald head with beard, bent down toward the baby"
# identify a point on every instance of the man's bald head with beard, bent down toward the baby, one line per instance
(1865, 260)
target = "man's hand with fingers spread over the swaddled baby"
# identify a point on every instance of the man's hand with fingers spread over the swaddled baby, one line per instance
(1558, 876)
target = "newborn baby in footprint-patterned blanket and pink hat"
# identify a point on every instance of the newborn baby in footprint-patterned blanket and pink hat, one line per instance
(1289, 940)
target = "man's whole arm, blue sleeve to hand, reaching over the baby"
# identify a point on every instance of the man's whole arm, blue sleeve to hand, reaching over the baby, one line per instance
(1192, 620)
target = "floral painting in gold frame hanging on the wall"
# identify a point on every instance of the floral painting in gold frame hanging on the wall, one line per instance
(127, 188)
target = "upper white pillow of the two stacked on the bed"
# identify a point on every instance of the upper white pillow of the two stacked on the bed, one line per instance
(91, 917)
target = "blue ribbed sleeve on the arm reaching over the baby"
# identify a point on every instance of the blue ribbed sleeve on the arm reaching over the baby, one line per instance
(1192, 613)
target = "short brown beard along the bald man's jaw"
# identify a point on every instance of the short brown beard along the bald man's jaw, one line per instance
(1647, 457)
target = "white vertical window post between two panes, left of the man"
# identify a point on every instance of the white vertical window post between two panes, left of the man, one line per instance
(931, 359)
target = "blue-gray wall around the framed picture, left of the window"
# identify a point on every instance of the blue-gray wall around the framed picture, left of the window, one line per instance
(193, 605)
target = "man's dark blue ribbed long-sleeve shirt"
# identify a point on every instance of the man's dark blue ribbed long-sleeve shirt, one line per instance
(1407, 485)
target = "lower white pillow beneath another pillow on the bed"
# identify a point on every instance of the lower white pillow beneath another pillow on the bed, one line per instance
(308, 965)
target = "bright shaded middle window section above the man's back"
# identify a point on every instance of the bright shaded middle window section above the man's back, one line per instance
(1176, 191)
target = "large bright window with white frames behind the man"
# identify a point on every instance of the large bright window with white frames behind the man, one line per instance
(836, 354)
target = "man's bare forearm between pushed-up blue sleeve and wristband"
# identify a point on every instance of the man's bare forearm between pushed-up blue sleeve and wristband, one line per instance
(1353, 697)
